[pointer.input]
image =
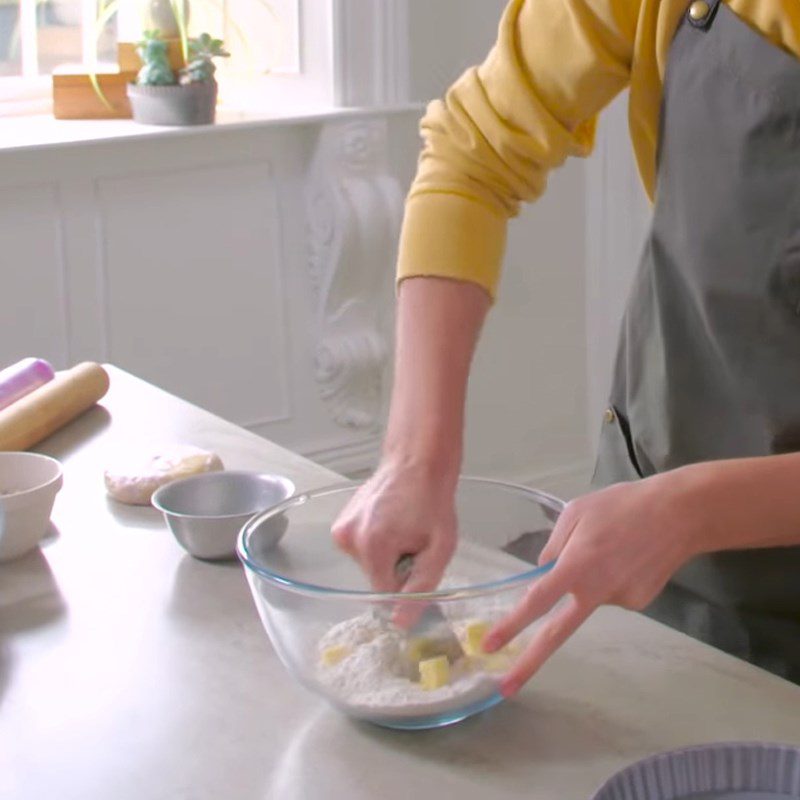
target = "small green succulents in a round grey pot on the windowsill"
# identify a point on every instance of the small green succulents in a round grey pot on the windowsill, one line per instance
(160, 97)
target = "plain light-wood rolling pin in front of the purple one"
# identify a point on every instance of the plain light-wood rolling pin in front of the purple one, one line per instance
(51, 406)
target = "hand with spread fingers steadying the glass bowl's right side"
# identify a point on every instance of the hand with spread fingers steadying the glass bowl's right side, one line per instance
(617, 546)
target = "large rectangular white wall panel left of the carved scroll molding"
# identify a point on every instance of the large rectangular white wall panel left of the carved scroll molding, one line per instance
(192, 286)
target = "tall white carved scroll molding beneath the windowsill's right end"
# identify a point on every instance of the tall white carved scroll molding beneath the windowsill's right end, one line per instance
(354, 207)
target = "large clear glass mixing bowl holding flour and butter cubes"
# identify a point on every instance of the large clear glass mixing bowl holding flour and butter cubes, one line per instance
(336, 636)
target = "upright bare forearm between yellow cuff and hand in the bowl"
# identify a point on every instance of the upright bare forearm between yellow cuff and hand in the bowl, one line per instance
(437, 330)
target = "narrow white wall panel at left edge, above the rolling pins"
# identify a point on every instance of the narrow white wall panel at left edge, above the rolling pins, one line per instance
(33, 314)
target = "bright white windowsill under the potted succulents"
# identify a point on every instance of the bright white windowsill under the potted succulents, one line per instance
(44, 131)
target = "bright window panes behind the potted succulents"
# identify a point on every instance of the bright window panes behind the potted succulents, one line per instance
(263, 36)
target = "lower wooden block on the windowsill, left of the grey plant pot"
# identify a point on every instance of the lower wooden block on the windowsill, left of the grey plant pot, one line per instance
(74, 96)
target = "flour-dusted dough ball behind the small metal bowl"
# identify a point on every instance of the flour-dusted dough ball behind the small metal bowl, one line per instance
(135, 481)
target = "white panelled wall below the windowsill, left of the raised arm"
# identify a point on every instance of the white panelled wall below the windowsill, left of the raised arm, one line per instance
(217, 265)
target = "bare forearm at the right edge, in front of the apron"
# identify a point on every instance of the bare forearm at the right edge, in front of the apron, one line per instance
(744, 503)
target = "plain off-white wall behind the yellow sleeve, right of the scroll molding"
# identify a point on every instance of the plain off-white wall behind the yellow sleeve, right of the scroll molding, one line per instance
(527, 402)
